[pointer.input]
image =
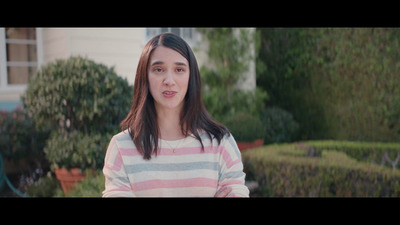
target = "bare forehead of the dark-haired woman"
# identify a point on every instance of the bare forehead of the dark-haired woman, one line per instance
(166, 55)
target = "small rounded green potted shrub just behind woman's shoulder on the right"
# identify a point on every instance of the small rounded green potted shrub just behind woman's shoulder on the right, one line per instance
(245, 127)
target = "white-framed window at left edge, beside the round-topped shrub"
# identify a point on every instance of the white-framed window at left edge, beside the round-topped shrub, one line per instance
(18, 55)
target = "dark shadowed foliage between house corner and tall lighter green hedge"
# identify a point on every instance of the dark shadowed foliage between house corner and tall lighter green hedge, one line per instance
(286, 77)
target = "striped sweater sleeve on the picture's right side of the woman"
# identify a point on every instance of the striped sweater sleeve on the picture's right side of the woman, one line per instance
(231, 175)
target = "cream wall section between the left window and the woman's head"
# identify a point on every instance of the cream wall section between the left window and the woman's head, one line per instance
(118, 47)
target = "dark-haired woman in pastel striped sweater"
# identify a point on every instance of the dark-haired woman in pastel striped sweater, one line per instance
(169, 144)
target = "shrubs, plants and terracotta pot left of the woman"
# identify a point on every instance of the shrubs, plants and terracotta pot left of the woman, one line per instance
(70, 111)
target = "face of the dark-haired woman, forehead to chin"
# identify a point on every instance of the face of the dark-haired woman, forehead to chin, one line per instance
(168, 75)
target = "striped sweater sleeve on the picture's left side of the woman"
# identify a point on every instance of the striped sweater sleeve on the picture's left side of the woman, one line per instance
(116, 179)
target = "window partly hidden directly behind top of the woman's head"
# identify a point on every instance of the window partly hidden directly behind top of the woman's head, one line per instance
(189, 34)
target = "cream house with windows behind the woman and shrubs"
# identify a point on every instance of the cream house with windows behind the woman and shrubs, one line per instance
(24, 50)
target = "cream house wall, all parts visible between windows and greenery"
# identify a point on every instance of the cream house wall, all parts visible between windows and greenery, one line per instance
(118, 47)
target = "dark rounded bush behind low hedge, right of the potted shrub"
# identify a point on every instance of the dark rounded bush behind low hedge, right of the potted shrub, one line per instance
(279, 125)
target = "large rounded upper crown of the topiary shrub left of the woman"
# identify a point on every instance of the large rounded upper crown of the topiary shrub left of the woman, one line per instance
(78, 94)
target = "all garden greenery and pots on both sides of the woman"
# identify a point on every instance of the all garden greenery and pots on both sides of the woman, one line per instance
(324, 116)
